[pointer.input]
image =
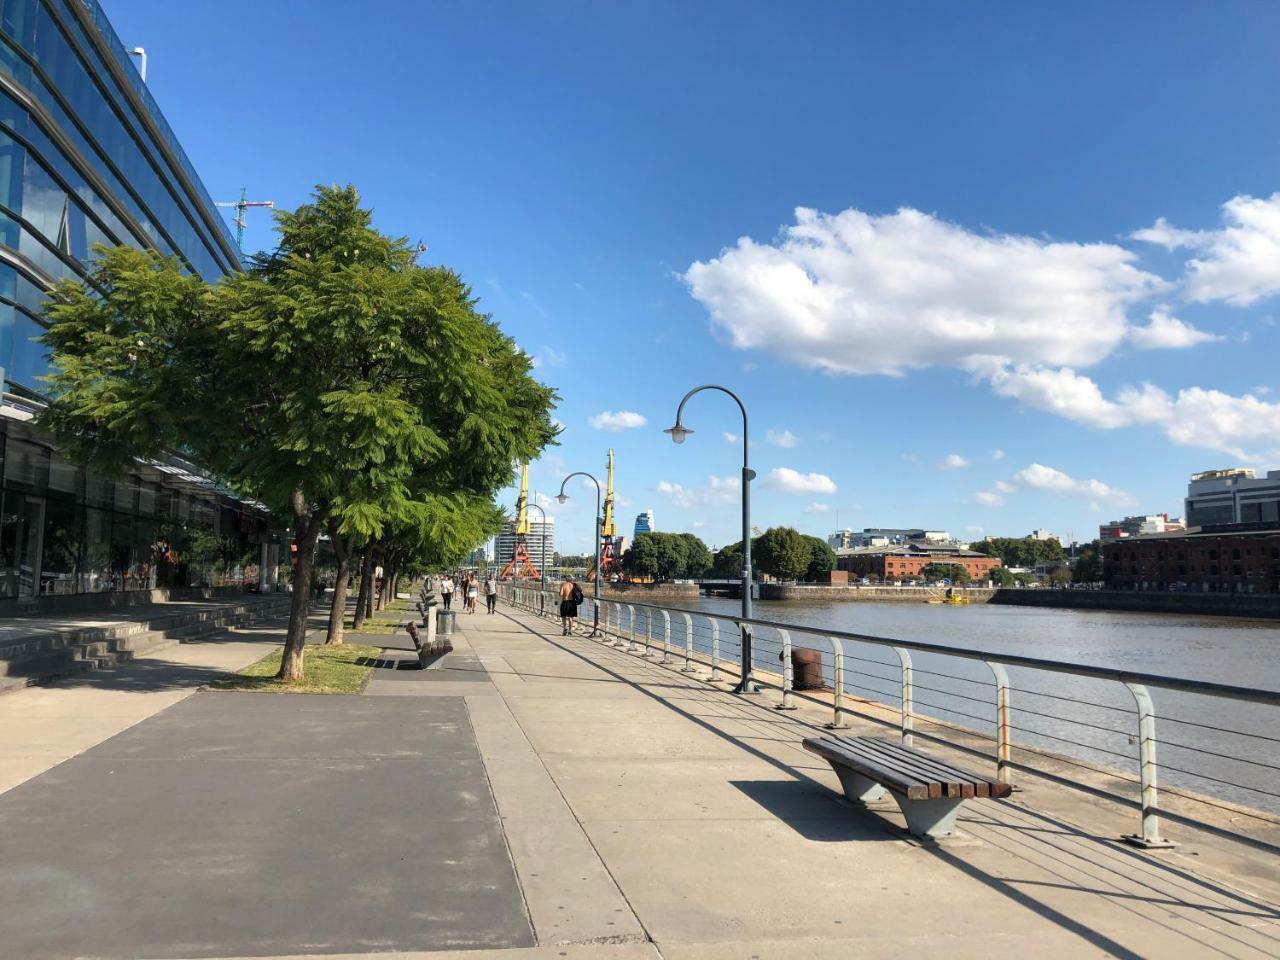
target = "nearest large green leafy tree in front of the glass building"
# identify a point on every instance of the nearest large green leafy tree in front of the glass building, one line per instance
(336, 381)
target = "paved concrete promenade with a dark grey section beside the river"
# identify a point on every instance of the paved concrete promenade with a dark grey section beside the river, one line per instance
(541, 797)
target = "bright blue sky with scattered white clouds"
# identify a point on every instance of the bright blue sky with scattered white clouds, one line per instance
(1007, 268)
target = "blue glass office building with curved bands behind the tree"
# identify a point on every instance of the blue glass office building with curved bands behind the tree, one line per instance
(88, 158)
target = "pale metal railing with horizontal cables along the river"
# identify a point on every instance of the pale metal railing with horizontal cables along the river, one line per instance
(977, 714)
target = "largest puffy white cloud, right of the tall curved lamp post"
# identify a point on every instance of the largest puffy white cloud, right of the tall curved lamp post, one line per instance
(860, 294)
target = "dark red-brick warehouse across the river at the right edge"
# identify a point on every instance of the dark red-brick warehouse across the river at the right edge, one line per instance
(1228, 559)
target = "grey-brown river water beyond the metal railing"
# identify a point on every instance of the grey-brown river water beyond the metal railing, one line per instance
(1208, 746)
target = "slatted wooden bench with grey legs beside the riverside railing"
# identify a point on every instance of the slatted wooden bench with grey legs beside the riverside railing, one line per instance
(929, 790)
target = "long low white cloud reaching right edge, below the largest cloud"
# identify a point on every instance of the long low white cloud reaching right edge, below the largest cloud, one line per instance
(1245, 427)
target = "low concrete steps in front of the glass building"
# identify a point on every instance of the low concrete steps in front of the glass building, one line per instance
(47, 655)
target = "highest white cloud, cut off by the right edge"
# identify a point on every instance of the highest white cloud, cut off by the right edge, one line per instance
(1240, 263)
